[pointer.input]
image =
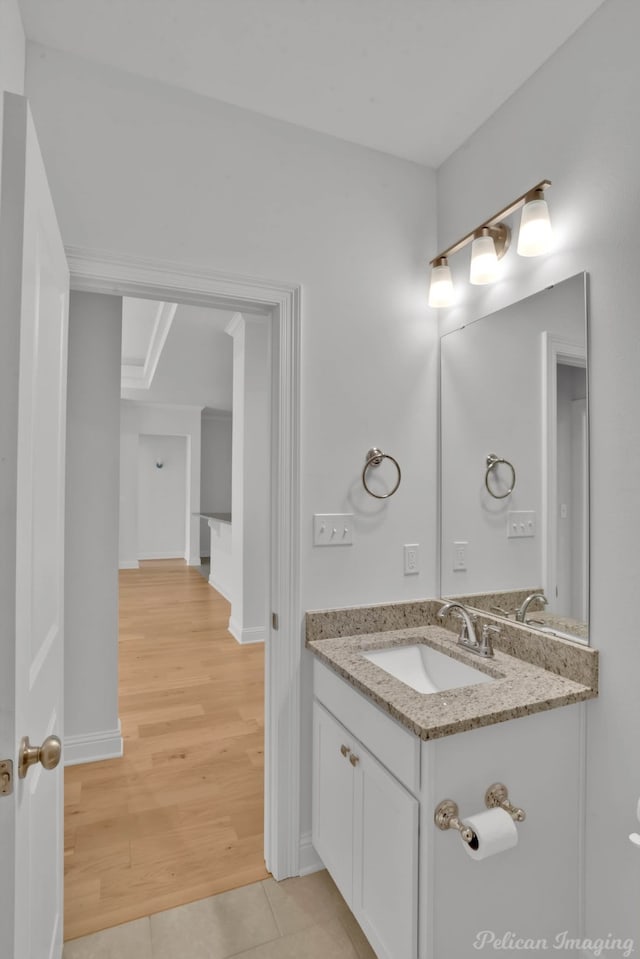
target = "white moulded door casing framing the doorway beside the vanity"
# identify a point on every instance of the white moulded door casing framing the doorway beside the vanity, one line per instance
(280, 303)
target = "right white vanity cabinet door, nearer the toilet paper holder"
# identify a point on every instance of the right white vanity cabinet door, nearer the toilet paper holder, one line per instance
(385, 860)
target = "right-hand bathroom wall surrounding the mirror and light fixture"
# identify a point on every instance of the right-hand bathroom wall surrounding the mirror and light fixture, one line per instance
(574, 122)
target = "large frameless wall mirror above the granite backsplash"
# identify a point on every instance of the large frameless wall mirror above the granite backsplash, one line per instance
(514, 459)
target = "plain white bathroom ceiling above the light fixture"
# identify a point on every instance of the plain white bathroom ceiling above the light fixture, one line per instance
(413, 78)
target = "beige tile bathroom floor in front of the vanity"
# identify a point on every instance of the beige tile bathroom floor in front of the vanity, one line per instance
(304, 918)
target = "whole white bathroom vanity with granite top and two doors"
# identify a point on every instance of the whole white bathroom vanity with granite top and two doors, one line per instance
(385, 755)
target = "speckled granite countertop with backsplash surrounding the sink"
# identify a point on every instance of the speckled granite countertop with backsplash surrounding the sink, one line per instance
(519, 687)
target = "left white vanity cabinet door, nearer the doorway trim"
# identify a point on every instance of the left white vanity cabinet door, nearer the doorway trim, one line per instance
(333, 778)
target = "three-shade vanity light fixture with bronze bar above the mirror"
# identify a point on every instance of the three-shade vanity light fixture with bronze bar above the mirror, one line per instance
(490, 241)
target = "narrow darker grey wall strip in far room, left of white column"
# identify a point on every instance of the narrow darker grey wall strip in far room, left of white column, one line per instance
(215, 484)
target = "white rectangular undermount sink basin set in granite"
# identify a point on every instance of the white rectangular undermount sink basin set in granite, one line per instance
(425, 669)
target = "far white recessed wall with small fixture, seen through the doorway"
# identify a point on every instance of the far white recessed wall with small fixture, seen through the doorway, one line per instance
(162, 497)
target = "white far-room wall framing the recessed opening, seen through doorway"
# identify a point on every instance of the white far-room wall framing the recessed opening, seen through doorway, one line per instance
(157, 420)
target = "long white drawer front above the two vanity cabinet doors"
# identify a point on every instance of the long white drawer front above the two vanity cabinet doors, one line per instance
(395, 747)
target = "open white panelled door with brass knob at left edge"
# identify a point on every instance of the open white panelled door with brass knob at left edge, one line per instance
(34, 283)
